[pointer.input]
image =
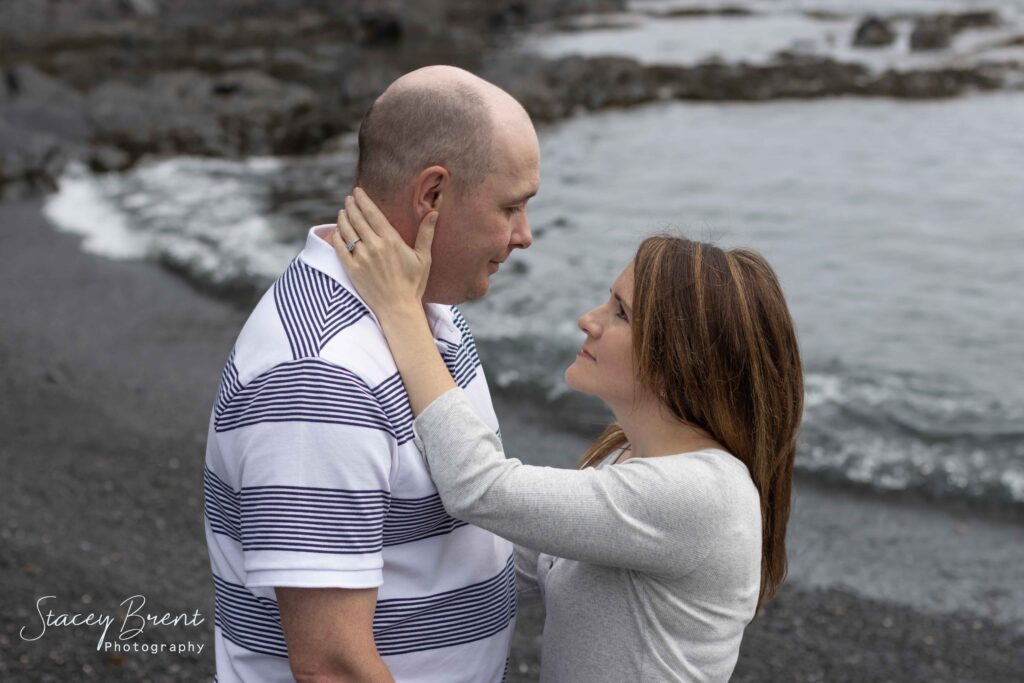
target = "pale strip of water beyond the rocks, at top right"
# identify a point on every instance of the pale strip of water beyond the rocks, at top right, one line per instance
(823, 28)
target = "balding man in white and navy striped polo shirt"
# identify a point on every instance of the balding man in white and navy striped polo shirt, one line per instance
(332, 554)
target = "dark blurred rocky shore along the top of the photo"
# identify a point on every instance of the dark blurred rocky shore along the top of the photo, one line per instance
(108, 82)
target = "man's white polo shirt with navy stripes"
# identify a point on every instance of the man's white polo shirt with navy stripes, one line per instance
(313, 481)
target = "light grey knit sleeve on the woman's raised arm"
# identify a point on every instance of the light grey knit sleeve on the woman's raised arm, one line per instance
(643, 515)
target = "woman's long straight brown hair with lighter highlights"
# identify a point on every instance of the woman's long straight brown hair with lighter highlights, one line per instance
(712, 335)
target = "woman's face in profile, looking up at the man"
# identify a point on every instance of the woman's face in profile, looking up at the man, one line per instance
(604, 366)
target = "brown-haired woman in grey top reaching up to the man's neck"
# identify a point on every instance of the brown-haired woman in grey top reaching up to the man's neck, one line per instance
(656, 554)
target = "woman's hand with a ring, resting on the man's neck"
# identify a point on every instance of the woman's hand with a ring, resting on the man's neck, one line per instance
(389, 275)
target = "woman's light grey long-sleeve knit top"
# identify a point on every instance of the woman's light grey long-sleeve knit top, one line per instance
(650, 570)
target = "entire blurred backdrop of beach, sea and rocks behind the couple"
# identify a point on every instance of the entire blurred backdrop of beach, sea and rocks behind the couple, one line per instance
(161, 164)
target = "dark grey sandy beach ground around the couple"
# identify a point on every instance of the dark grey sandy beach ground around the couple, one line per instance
(109, 371)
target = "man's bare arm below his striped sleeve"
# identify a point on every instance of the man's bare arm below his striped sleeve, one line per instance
(330, 636)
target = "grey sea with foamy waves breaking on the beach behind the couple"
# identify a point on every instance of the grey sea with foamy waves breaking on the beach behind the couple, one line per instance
(897, 229)
